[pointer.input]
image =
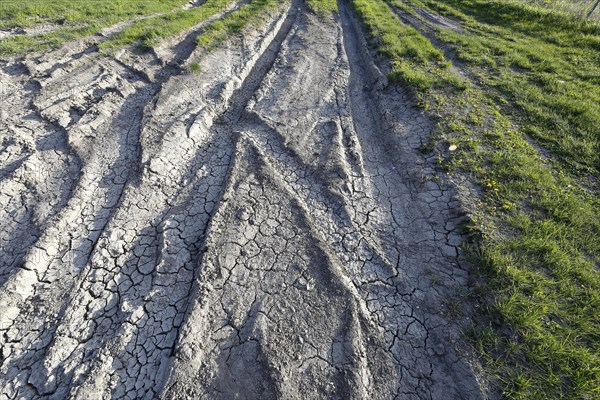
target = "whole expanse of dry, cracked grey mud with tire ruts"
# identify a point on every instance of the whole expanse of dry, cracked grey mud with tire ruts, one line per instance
(264, 229)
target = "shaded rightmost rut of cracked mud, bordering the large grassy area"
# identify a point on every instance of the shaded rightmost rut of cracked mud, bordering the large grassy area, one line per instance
(418, 209)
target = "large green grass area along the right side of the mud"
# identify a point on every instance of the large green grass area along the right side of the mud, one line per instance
(535, 231)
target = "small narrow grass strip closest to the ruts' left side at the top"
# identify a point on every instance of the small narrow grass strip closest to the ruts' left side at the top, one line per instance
(250, 14)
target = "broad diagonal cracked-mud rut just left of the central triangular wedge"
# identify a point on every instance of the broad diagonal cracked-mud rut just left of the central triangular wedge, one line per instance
(89, 314)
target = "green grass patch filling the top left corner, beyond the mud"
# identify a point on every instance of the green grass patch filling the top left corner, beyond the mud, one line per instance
(74, 19)
